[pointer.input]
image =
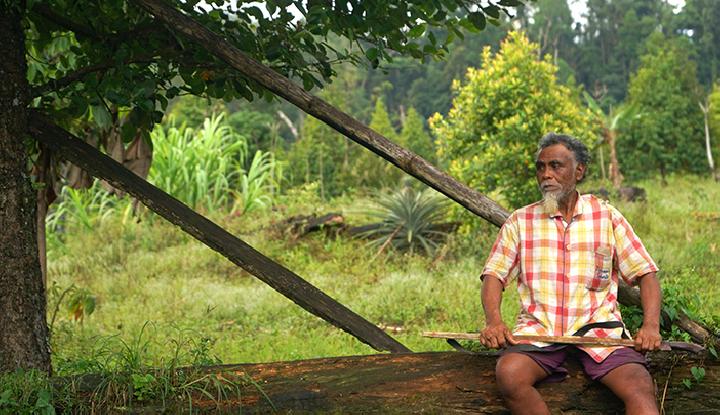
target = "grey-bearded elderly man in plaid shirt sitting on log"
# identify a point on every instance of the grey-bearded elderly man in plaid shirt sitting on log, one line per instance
(567, 252)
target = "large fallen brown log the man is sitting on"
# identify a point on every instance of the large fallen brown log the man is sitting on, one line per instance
(441, 383)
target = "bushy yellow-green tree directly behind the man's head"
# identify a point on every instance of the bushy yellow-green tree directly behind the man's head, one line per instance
(490, 135)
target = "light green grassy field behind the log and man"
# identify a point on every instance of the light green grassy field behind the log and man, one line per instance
(161, 295)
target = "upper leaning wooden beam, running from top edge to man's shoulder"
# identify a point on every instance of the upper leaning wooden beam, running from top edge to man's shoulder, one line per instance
(407, 161)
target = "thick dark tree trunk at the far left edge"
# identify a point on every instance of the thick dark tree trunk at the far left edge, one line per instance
(24, 339)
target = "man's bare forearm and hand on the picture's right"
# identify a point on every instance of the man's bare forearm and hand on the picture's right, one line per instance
(648, 337)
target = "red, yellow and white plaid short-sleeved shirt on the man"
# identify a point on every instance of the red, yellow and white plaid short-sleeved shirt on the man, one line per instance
(567, 273)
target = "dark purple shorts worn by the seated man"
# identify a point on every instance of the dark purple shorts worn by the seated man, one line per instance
(551, 359)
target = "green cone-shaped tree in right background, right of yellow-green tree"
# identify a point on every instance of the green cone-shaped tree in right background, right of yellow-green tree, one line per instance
(668, 137)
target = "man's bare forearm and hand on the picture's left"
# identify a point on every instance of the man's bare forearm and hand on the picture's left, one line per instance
(495, 334)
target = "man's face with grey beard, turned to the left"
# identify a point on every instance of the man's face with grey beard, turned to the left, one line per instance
(557, 172)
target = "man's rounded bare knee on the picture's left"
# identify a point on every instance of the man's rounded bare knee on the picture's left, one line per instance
(515, 371)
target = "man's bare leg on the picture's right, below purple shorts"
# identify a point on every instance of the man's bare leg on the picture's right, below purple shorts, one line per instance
(633, 384)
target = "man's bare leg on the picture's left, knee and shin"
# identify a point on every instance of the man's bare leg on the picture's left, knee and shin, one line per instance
(516, 376)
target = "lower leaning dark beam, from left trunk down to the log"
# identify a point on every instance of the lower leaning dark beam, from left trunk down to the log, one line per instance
(280, 278)
